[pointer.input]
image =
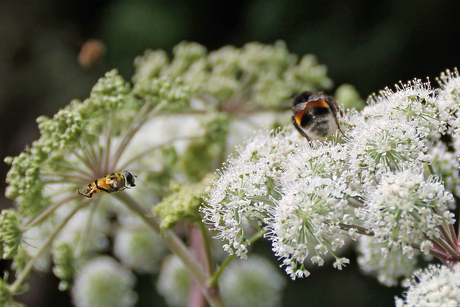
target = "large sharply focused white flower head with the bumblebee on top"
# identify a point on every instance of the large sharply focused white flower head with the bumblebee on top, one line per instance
(381, 179)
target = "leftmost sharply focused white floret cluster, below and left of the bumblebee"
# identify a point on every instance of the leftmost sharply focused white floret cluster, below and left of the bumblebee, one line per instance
(245, 190)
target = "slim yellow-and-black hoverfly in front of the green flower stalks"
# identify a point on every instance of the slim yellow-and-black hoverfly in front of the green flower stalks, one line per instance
(114, 182)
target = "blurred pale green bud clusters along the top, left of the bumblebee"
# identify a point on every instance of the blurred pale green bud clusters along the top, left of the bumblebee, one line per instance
(263, 74)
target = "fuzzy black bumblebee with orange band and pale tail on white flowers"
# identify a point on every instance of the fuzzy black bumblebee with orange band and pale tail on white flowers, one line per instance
(315, 115)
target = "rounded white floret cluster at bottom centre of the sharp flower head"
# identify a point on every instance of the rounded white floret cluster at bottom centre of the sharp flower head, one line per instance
(309, 213)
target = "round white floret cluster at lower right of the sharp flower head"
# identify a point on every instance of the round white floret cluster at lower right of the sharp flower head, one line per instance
(399, 210)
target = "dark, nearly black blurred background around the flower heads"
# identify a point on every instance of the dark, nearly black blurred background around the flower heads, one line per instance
(370, 44)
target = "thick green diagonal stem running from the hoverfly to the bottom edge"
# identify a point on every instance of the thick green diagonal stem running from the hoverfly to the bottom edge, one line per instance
(178, 247)
